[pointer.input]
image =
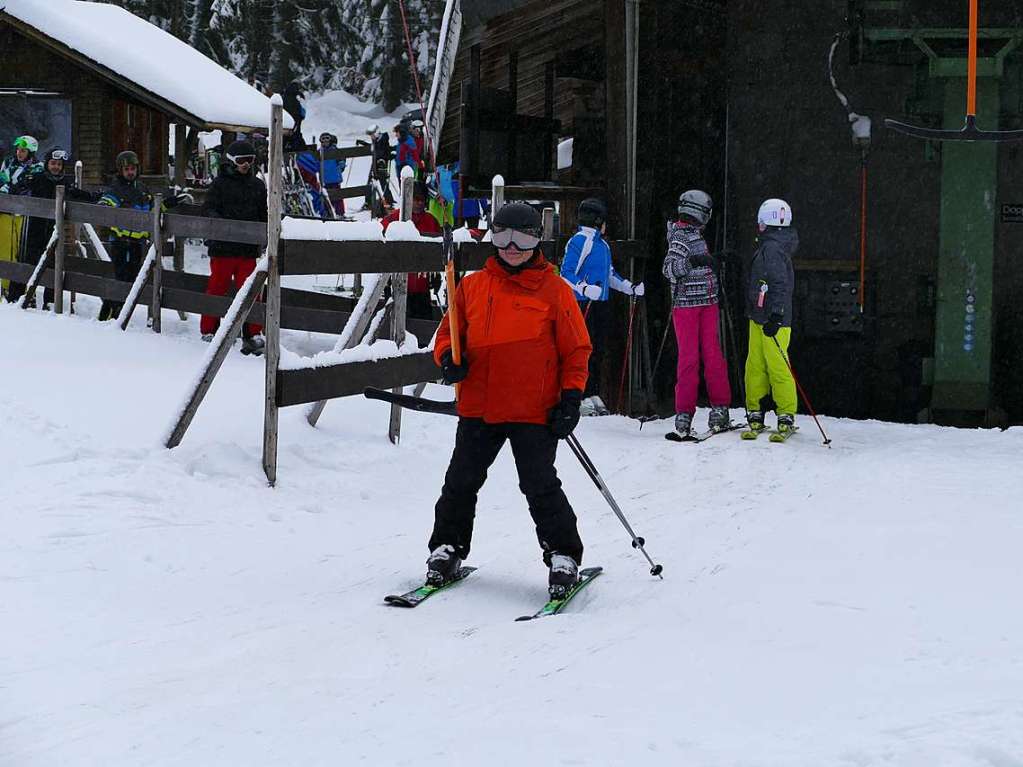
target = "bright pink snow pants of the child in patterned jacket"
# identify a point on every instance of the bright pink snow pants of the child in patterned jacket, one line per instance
(696, 330)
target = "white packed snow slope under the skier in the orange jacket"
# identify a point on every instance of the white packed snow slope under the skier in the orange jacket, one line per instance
(839, 608)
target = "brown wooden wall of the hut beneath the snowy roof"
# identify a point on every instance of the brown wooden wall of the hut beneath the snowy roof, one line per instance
(95, 105)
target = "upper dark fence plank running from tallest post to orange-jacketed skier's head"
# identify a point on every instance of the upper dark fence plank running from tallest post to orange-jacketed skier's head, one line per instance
(360, 257)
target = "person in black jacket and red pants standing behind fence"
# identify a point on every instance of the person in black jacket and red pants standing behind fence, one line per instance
(237, 195)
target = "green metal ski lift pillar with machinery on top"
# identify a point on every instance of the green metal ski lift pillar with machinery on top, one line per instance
(961, 370)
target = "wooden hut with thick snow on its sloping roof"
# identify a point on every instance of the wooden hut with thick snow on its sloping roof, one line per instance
(96, 79)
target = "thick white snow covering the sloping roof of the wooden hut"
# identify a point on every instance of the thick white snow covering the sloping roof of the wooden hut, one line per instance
(127, 50)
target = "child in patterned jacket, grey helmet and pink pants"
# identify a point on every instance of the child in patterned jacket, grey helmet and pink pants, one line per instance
(689, 266)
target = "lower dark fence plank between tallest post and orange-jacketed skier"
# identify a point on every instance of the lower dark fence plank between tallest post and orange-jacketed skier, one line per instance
(321, 384)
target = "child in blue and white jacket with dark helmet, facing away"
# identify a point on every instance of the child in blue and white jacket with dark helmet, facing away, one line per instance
(589, 270)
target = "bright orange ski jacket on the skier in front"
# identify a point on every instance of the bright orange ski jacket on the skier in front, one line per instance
(525, 341)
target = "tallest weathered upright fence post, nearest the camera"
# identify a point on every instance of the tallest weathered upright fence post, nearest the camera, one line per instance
(273, 328)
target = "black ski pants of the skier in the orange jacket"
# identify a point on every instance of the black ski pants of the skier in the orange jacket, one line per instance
(535, 447)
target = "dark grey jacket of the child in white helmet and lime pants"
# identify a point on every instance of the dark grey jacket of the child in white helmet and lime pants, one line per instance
(772, 269)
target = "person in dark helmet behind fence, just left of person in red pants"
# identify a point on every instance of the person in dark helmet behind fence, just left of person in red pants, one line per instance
(127, 248)
